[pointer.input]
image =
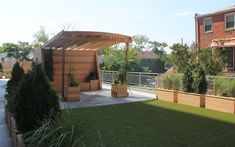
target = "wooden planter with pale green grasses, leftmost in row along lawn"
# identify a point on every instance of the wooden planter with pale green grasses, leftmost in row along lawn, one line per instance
(171, 85)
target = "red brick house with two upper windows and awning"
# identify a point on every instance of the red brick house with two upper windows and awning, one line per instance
(217, 29)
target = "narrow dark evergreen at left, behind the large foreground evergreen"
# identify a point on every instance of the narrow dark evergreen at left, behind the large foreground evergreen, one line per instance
(17, 76)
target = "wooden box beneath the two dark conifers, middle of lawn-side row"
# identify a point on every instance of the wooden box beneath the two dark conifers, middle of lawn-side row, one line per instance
(192, 99)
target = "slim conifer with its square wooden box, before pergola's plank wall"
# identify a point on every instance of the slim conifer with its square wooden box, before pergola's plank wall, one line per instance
(72, 89)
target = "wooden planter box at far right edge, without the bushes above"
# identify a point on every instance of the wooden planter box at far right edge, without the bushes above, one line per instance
(220, 103)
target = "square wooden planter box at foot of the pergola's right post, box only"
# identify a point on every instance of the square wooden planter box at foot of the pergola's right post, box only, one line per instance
(119, 90)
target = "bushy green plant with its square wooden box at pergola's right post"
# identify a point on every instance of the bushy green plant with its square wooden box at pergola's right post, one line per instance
(119, 88)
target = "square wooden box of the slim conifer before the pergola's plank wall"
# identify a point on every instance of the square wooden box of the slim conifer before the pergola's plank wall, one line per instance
(72, 93)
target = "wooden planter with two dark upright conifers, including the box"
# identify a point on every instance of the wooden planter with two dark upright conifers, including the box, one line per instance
(191, 85)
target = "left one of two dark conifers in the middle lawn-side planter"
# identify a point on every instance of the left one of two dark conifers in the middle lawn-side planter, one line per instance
(187, 80)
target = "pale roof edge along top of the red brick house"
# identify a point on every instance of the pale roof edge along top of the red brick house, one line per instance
(221, 11)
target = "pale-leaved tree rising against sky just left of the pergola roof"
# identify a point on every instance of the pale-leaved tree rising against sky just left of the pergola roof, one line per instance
(41, 37)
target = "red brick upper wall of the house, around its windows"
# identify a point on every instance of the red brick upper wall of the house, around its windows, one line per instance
(218, 31)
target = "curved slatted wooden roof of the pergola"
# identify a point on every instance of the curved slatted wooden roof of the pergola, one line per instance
(85, 40)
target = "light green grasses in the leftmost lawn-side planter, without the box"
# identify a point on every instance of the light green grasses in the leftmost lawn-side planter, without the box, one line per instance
(172, 81)
